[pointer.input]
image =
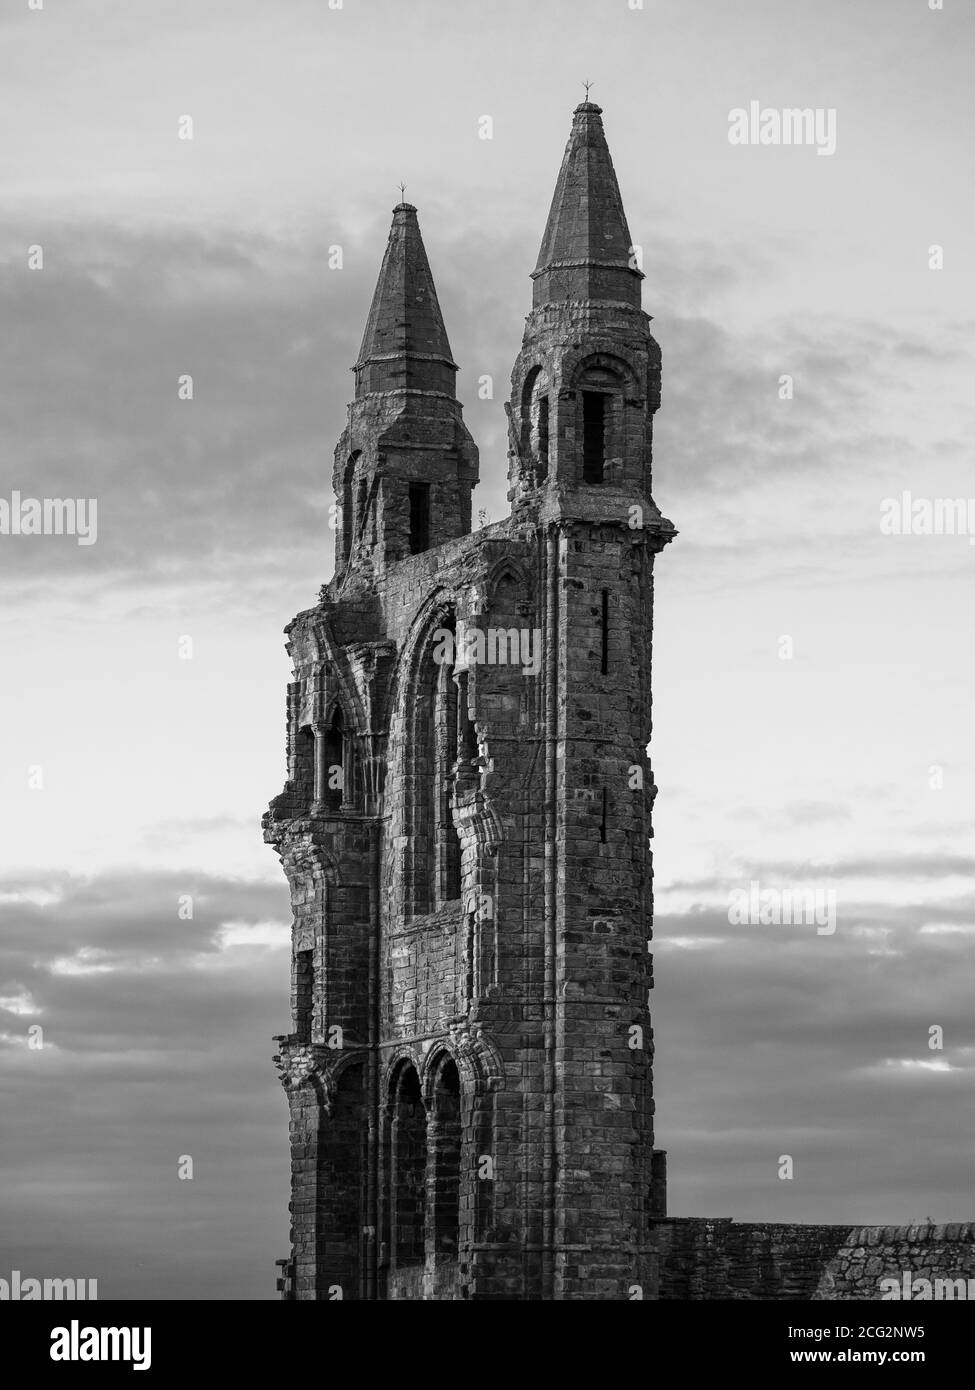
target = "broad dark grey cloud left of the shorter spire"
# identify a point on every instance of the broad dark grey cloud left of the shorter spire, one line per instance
(225, 482)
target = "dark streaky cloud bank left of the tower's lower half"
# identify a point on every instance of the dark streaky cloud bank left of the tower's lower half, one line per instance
(158, 1043)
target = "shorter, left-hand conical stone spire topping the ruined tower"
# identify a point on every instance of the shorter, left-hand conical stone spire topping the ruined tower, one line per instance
(405, 344)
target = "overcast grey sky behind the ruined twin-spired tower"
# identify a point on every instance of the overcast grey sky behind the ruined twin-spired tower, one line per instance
(211, 258)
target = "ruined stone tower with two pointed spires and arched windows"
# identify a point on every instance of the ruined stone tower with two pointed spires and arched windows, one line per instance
(468, 812)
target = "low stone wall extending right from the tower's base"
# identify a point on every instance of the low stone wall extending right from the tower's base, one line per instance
(702, 1260)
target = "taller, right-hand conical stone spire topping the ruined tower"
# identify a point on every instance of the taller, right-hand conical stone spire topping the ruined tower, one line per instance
(586, 250)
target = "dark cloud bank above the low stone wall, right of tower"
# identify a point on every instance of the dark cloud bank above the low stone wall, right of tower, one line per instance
(774, 1040)
